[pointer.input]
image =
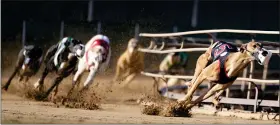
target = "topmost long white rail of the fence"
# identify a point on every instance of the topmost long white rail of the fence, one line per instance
(208, 31)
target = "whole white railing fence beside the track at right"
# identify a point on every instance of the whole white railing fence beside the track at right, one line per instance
(226, 100)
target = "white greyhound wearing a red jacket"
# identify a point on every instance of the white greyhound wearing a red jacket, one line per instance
(96, 58)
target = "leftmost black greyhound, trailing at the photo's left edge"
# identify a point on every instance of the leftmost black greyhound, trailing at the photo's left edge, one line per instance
(28, 63)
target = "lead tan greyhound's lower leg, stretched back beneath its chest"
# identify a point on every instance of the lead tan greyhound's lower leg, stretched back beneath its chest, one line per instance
(207, 94)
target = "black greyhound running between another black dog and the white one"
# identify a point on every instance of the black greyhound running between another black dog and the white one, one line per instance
(61, 59)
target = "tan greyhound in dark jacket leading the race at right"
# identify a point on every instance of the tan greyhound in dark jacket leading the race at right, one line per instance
(221, 64)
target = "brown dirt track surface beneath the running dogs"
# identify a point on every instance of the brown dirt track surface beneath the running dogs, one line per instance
(115, 109)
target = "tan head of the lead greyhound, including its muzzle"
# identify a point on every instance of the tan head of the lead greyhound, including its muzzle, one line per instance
(256, 50)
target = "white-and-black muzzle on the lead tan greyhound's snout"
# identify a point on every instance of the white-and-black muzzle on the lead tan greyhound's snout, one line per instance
(263, 56)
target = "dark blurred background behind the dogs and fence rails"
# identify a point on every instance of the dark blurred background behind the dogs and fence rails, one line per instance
(43, 21)
